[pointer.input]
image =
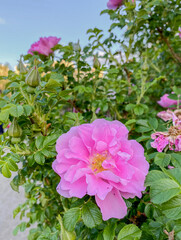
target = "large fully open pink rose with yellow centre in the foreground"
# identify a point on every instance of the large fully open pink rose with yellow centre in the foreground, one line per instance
(98, 159)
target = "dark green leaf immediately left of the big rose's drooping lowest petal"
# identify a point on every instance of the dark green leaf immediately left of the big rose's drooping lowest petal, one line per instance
(91, 215)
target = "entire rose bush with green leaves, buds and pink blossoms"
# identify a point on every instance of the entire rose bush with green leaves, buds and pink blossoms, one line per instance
(54, 107)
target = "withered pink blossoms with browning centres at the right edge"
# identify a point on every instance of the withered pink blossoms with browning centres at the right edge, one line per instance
(171, 138)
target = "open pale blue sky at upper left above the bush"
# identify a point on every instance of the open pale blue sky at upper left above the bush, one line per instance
(22, 22)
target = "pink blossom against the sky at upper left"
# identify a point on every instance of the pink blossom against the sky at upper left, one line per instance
(44, 46)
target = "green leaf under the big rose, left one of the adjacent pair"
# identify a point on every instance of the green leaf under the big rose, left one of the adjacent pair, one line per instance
(70, 218)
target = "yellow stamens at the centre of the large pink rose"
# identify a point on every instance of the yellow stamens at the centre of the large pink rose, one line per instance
(96, 162)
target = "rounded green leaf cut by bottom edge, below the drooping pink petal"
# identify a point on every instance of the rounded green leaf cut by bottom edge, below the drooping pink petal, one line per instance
(129, 232)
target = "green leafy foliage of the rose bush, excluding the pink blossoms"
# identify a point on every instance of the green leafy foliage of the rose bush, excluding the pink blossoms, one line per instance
(134, 71)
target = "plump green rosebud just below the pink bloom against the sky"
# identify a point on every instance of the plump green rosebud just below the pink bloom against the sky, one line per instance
(33, 77)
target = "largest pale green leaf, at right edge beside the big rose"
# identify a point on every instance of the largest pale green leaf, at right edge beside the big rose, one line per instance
(164, 190)
